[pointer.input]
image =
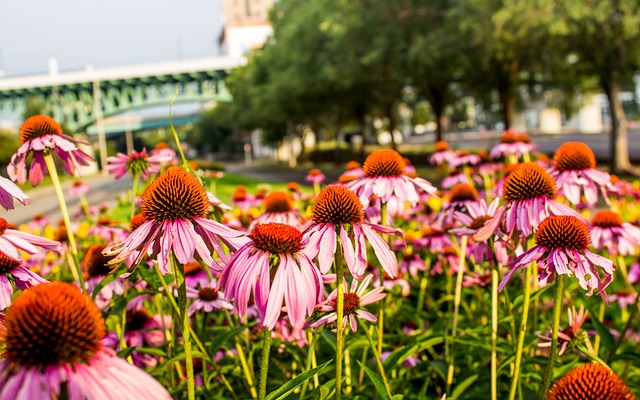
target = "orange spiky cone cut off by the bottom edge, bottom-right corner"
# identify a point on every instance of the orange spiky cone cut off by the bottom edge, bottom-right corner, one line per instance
(590, 381)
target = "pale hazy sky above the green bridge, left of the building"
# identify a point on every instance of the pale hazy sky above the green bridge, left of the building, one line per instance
(104, 33)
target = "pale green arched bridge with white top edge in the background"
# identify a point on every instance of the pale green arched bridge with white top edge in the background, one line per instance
(80, 99)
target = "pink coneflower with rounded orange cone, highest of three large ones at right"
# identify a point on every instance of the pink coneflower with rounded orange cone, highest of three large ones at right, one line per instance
(575, 171)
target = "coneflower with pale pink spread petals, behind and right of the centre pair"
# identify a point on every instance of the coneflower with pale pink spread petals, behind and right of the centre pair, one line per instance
(384, 178)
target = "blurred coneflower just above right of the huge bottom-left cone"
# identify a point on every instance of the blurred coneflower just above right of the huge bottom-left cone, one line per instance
(95, 268)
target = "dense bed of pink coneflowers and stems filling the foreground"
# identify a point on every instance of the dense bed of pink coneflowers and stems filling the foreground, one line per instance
(149, 290)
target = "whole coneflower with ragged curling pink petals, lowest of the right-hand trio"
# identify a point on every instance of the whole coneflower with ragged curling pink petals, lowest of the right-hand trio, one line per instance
(562, 244)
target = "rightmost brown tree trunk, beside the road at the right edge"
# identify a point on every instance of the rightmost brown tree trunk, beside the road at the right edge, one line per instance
(618, 140)
